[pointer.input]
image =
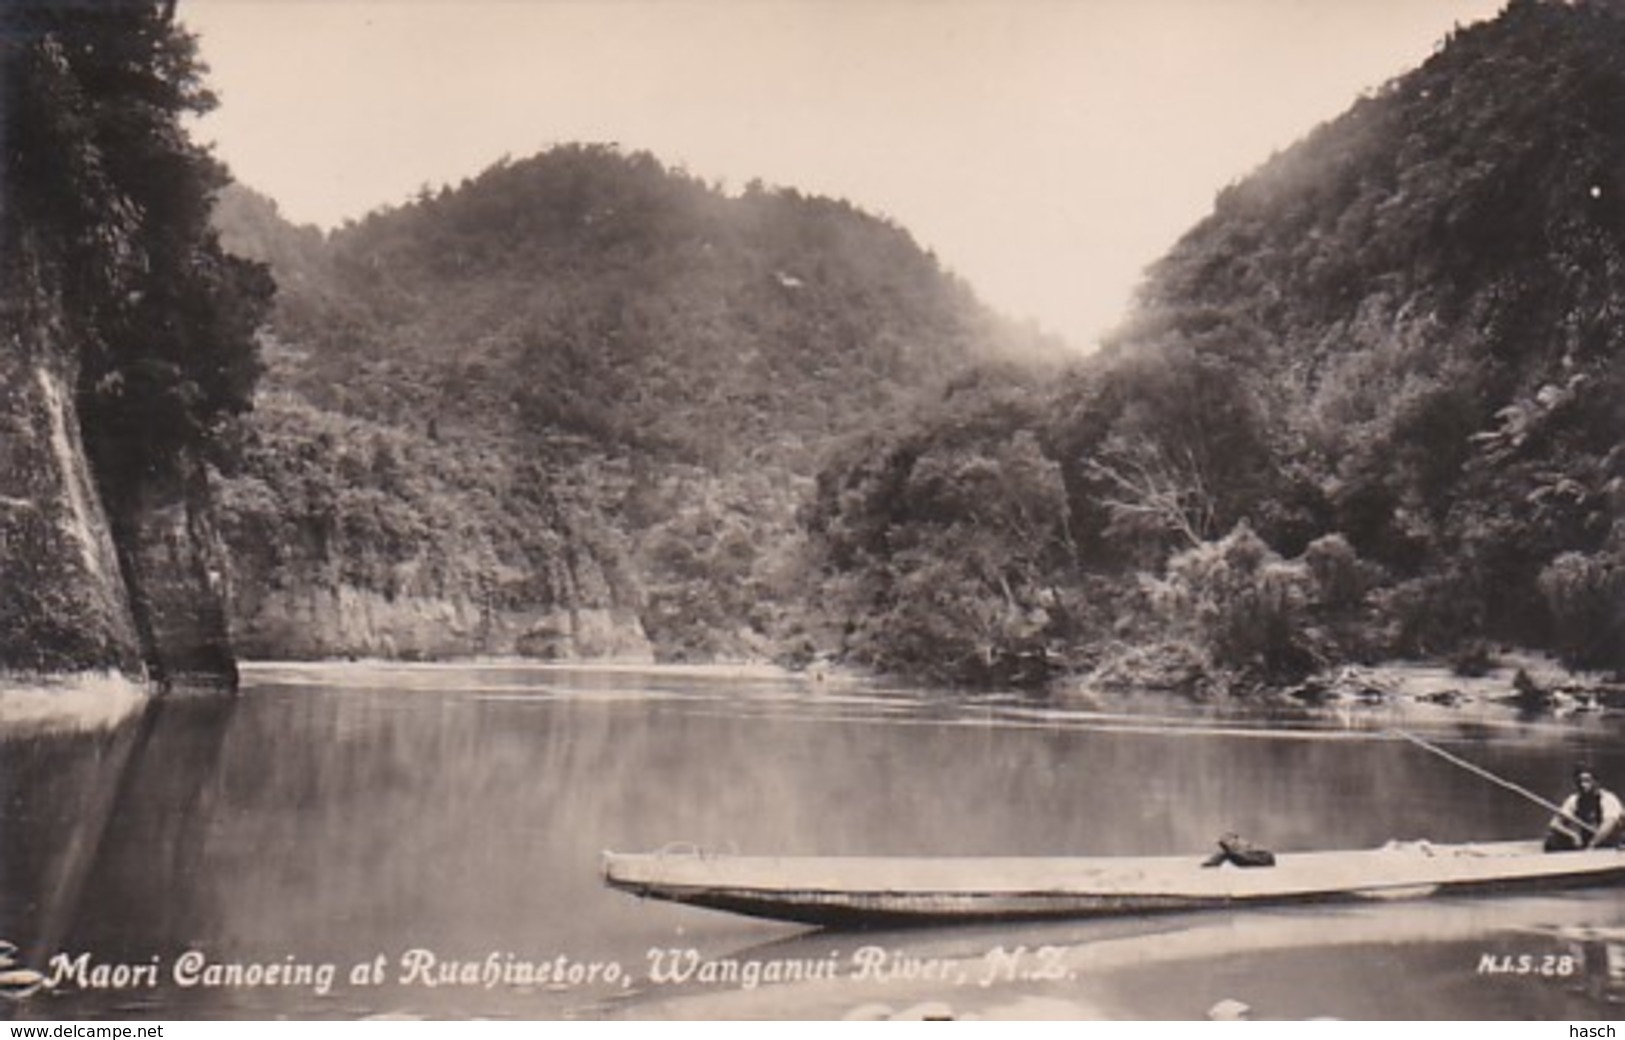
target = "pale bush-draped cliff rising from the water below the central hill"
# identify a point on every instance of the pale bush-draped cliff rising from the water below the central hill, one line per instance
(350, 539)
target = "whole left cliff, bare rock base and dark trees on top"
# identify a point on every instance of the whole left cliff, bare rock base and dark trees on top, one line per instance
(126, 349)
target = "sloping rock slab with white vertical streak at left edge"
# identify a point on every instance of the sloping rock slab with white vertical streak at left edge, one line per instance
(63, 597)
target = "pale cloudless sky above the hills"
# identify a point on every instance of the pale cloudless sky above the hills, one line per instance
(1044, 150)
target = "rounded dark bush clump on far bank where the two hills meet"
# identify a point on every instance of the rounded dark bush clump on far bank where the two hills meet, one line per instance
(948, 550)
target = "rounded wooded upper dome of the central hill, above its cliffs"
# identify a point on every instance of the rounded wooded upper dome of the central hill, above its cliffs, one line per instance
(594, 293)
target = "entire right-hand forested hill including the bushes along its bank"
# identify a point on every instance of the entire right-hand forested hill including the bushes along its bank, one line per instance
(1372, 405)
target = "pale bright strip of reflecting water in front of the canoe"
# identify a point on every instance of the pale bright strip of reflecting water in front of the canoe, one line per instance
(1447, 960)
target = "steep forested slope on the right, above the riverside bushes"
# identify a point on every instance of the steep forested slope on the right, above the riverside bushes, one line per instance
(1426, 301)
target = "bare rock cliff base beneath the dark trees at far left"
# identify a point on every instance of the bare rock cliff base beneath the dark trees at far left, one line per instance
(82, 589)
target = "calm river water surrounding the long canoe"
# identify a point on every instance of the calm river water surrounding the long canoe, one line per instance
(314, 846)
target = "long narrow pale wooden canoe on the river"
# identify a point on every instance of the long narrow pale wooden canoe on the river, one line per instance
(854, 891)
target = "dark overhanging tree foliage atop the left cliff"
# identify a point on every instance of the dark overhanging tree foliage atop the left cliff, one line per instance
(111, 196)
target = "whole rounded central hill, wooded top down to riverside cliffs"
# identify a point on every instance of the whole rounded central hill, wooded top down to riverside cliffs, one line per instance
(568, 404)
